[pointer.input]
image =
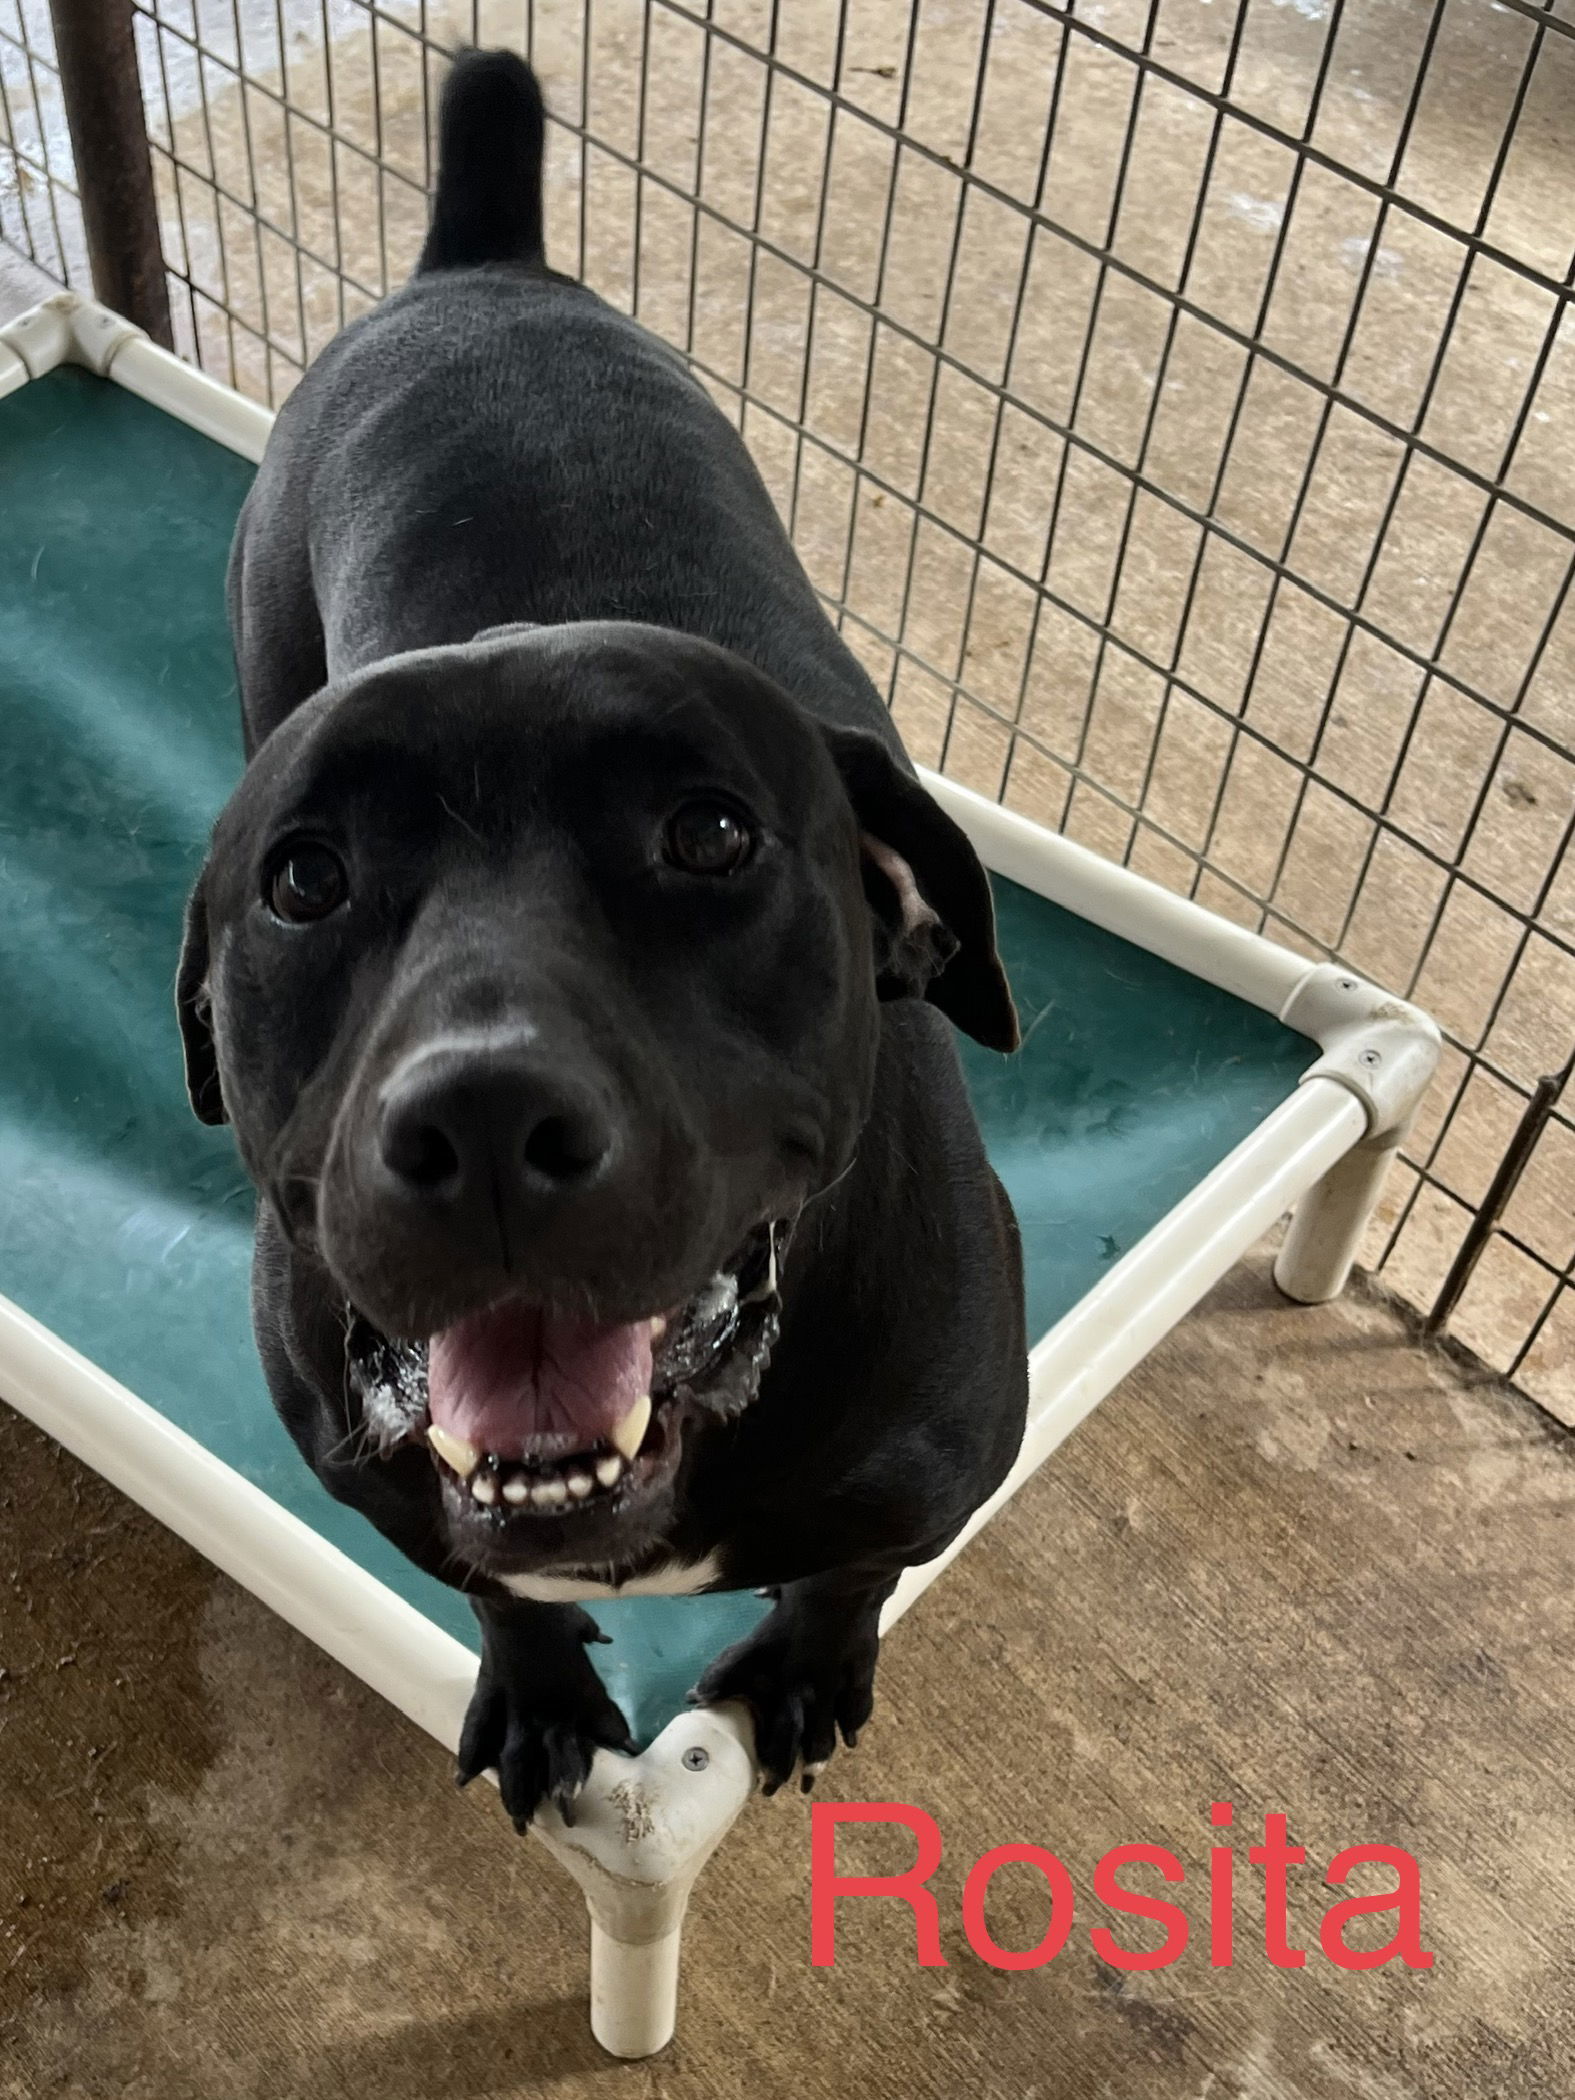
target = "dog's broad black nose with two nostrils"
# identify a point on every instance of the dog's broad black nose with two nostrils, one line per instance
(492, 1131)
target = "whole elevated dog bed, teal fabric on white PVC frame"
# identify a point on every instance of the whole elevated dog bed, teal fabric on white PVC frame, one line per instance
(1181, 1085)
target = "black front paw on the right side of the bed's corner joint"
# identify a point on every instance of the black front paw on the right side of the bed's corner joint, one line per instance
(801, 1685)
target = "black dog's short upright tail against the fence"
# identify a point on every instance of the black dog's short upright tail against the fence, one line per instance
(490, 138)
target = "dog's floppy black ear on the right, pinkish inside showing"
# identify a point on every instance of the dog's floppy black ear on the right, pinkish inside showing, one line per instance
(936, 919)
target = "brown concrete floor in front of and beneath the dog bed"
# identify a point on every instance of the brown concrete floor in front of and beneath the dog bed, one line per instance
(1295, 1563)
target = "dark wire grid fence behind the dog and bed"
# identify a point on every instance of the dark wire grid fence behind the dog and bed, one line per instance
(1173, 402)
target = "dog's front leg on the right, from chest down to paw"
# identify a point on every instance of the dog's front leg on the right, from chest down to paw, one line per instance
(805, 1673)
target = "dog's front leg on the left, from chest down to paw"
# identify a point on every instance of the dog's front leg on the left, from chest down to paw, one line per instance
(539, 1713)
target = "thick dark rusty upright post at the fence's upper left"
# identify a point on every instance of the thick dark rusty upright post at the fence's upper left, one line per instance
(96, 47)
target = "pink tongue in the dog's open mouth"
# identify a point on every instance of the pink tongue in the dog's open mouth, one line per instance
(513, 1374)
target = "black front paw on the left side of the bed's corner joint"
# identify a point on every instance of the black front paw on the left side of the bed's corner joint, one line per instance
(541, 1734)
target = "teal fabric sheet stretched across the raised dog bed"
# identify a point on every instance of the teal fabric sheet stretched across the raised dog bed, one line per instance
(125, 1225)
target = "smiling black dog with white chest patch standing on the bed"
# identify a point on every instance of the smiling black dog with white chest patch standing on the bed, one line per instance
(562, 965)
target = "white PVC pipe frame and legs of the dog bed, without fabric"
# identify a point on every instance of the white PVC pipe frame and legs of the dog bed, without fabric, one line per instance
(648, 1826)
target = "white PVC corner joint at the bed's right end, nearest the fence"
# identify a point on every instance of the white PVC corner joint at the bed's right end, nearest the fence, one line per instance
(1383, 1049)
